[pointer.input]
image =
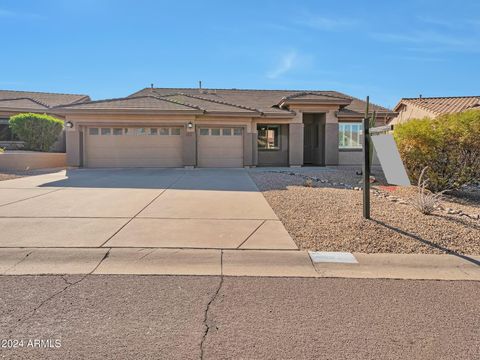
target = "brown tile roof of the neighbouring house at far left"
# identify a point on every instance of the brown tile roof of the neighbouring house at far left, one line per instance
(38, 100)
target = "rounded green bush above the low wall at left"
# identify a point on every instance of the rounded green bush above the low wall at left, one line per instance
(39, 132)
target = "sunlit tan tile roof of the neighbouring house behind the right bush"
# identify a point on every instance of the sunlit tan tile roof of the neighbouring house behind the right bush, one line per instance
(442, 105)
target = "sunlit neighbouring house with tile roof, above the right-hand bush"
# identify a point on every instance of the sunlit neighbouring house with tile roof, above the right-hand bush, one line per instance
(421, 107)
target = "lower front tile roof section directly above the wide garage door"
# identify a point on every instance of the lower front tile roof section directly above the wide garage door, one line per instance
(133, 103)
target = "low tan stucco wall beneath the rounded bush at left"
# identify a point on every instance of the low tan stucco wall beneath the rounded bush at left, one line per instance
(27, 160)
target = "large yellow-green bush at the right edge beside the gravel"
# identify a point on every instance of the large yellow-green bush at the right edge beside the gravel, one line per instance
(449, 145)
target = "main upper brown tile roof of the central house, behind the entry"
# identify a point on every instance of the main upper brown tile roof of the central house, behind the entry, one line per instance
(267, 102)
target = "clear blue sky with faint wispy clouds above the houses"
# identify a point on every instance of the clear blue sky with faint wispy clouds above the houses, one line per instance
(385, 49)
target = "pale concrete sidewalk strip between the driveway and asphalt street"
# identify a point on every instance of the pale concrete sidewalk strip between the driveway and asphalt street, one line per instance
(276, 263)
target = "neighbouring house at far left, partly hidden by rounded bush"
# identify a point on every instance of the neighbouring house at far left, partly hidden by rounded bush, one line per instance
(15, 102)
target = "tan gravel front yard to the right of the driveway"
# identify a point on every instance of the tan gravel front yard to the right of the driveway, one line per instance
(328, 215)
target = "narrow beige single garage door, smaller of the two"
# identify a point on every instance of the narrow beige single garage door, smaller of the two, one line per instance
(220, 147)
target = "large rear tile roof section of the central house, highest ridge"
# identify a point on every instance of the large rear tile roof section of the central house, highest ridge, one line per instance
(264, 101)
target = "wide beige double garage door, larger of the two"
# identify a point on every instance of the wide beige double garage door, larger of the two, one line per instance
(134, 147)
